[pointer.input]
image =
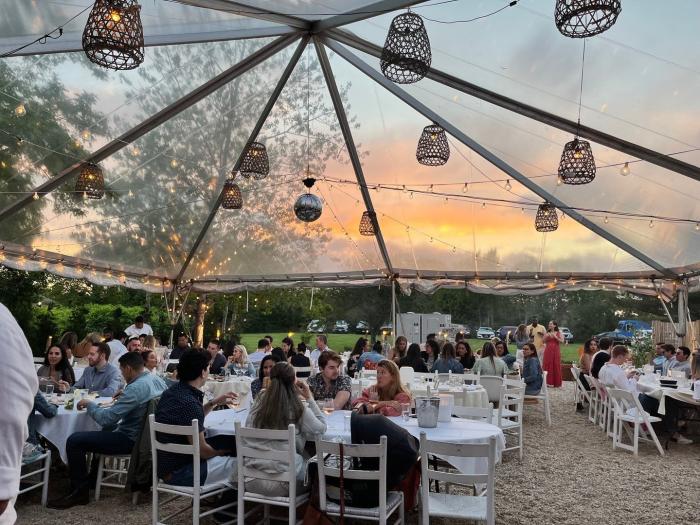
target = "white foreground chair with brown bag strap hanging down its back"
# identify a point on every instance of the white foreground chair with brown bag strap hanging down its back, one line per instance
(388, 502)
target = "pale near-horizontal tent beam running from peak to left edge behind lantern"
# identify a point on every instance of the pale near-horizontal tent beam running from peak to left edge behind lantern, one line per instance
(72, 42)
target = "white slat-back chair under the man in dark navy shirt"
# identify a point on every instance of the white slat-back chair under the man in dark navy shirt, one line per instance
(198, 491)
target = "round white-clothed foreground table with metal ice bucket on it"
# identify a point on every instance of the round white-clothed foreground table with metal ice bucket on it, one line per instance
(456, 431)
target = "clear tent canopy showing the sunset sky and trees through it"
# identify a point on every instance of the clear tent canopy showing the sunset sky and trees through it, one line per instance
(303, 78)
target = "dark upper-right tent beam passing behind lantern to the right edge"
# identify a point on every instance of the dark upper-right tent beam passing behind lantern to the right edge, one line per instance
(653, 157)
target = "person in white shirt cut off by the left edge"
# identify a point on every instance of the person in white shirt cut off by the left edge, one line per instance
(18, 385)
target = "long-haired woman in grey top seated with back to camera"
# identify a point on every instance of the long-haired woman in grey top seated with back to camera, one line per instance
(275, 409)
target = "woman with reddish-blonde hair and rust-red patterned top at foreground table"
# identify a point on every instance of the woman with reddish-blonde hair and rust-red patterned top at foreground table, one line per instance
(387, 395)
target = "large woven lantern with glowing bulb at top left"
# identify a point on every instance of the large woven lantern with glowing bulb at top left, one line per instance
(113, 34)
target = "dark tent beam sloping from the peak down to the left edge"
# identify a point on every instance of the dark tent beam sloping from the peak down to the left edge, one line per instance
(154, 121)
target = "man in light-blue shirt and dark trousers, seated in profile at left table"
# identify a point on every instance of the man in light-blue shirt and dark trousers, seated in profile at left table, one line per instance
(121, 424)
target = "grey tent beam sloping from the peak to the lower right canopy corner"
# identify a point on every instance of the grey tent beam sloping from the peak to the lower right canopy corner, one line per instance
(491, 157)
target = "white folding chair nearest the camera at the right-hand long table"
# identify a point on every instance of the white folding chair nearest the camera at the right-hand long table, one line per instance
(628, 411)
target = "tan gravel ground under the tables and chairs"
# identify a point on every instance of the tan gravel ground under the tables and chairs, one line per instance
(569, 475)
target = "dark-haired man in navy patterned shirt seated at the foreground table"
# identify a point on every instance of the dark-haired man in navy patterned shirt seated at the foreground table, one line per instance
(179, 405)
